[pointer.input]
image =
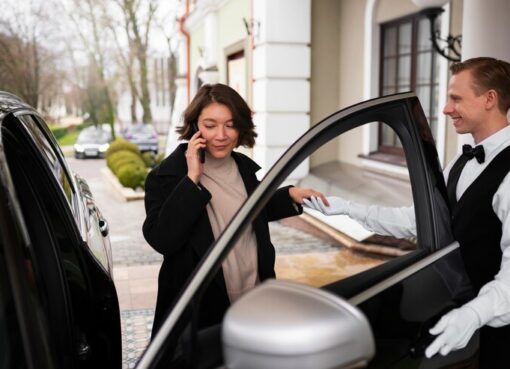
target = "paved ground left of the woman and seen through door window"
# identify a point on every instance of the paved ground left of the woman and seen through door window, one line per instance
(303, 254)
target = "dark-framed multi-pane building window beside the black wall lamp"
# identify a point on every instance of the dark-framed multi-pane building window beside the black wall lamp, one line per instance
(408, 63)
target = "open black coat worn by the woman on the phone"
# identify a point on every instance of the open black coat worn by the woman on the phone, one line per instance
(177, 226)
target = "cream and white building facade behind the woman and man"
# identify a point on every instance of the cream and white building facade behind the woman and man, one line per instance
(298, 61)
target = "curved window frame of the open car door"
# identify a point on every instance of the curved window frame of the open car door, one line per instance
(428, 189)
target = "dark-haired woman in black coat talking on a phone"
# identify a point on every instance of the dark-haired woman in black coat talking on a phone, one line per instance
(189, 203)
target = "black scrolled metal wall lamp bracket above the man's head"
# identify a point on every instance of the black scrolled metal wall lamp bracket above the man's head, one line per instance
(453, 44)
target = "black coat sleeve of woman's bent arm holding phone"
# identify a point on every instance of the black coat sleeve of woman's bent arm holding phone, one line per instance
(173, 206)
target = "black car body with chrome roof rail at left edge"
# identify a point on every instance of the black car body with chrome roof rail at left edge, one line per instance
(58, 303)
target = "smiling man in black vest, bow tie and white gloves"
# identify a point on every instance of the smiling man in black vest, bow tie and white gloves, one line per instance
(479, 196)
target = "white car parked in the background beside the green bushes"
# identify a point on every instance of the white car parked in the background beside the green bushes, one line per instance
(92, 142)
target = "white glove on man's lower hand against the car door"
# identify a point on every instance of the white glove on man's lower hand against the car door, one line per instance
(455, 330)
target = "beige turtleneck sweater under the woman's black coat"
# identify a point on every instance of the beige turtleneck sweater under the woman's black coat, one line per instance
(223, 180)
